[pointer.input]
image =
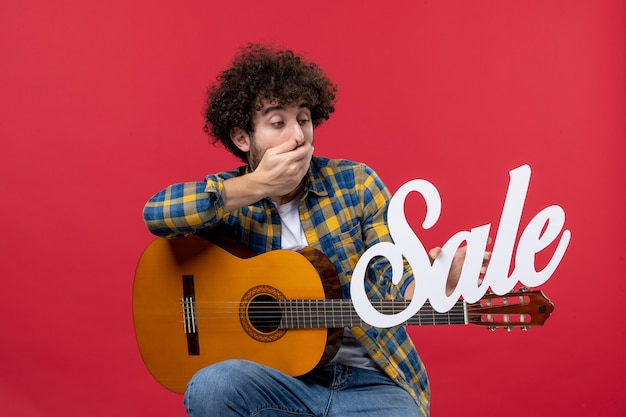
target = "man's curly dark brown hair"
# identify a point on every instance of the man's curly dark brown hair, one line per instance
(261, 73)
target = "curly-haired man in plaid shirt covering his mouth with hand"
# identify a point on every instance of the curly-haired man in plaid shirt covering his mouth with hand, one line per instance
(264, 110)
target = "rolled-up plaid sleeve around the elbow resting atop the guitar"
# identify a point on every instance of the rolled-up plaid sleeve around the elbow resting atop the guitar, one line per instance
(185, 208)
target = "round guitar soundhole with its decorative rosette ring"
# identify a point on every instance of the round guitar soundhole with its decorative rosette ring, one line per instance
(260, 313)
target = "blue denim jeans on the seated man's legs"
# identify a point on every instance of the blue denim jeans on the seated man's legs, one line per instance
(243, 388)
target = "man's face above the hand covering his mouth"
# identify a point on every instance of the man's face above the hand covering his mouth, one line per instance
(275, 124)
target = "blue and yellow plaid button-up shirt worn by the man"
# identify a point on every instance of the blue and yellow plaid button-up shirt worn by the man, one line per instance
(343, 212)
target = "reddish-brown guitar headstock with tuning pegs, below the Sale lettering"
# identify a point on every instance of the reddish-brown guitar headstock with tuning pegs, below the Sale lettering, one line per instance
(523, 308)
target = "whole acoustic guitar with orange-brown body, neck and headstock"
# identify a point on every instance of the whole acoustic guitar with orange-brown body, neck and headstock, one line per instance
(196, 303)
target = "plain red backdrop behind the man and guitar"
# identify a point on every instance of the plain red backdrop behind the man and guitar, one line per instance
(101, 106)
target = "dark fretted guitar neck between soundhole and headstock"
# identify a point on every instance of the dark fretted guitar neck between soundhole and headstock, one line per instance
(339, 313)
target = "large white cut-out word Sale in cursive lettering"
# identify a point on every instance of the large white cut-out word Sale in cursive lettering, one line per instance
(430, 280)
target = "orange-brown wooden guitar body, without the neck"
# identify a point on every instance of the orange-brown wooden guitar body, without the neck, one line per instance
(223, 286)
